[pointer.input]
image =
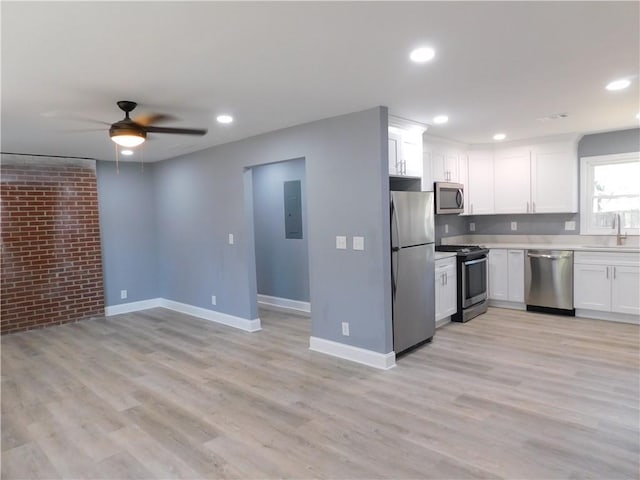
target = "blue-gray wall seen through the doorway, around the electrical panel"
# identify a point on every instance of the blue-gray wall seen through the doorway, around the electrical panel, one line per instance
(282, 266)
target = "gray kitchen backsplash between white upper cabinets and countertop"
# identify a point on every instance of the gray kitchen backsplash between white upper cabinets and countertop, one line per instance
(538, 224)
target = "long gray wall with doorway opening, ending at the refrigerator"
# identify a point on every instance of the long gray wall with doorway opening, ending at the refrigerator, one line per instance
(202, 197)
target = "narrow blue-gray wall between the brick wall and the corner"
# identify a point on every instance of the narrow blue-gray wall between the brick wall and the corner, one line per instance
(127, 223)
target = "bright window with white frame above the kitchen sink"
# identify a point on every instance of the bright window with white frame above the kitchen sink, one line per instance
(610, 186)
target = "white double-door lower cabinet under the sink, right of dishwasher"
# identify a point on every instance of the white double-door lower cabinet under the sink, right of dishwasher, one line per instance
(607, 282)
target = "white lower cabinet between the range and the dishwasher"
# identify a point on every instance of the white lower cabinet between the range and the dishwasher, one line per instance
(506, 275)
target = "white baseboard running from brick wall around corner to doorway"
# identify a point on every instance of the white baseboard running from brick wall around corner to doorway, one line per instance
(211, 315)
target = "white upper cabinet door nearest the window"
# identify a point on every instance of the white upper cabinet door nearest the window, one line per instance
(554, 178)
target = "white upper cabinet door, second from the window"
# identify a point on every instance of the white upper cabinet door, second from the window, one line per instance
(512, 181)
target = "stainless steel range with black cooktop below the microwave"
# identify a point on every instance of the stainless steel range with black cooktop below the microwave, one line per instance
(472, 280)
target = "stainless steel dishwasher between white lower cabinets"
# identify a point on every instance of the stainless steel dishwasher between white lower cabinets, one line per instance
(548, 281)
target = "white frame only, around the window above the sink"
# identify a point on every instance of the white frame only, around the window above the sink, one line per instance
(587, 165)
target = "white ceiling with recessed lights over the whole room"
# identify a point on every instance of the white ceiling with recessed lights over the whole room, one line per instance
(499, 66)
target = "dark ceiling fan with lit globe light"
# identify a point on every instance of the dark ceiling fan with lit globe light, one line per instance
(131, 133)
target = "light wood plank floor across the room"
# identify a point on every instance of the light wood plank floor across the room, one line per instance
(157, 394)
